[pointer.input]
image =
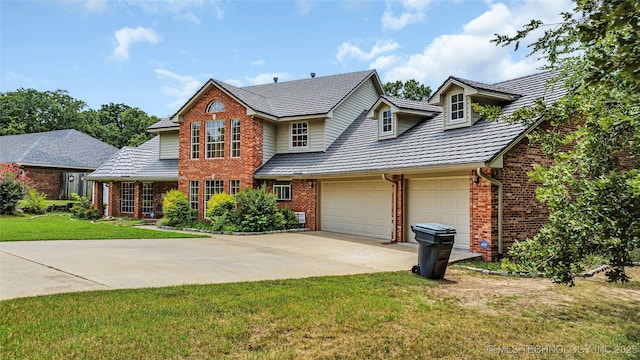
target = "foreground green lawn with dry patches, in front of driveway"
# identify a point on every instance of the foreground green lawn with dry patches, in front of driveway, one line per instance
(374, 316)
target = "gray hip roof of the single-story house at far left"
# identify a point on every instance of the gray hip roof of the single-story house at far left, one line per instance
(61, 148)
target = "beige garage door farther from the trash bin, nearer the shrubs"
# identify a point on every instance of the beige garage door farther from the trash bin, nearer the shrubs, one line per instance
(356, 207)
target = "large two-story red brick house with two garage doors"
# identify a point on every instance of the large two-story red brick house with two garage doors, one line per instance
(359, 162)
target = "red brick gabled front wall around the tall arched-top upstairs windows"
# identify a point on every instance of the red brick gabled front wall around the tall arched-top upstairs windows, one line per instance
(226, 168)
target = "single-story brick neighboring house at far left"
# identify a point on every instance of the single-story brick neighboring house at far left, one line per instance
(57, 161)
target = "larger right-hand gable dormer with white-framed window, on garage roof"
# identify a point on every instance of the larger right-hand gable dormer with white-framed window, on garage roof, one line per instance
(457, 95)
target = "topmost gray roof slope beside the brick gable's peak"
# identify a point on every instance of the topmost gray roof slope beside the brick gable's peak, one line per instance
(310, 96)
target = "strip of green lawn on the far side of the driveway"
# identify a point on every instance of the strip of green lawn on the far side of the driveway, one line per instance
(63, 227)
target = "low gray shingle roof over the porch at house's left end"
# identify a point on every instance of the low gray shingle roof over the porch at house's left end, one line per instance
(138, 163)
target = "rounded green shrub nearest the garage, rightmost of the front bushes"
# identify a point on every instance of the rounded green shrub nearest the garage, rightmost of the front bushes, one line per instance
(257, 211)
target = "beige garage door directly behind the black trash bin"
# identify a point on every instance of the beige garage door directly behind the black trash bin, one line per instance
(440, 200)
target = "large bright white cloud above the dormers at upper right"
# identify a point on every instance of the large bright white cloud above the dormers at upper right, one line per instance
(471, 53)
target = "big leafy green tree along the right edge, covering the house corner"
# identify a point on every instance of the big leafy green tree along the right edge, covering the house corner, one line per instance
(592, 188)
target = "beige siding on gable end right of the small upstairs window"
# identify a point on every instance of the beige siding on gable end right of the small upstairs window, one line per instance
(361, 100)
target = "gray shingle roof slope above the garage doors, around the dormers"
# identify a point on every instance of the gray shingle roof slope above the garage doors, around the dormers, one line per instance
(425, 145)
